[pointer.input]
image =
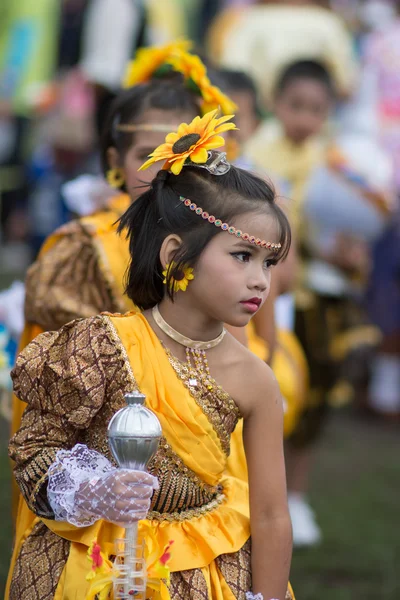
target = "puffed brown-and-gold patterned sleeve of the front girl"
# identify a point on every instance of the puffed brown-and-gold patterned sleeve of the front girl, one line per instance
(60, 407)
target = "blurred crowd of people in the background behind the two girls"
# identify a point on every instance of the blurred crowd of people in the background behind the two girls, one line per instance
(317, 85)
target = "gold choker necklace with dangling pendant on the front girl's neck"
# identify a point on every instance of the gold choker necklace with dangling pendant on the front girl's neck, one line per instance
(195, 350)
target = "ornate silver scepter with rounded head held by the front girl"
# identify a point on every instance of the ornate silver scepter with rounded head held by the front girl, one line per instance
(133, 435)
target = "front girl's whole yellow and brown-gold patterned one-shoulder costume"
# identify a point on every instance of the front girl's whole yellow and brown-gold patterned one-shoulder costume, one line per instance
(73, 381)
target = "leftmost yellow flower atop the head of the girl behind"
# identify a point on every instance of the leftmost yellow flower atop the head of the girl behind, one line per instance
(149, 60)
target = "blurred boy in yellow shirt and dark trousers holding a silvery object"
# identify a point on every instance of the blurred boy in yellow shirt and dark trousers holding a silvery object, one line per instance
(334, 224)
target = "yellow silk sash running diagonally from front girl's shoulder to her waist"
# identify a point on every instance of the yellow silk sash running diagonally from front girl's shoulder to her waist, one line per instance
(190, 434)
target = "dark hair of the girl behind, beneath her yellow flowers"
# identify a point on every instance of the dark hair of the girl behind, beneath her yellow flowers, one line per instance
(168, 93)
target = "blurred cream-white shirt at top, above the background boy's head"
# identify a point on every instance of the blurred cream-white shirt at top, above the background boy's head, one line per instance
(270, 35)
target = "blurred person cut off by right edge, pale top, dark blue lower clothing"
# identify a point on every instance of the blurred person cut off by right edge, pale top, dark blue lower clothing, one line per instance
(382, 91)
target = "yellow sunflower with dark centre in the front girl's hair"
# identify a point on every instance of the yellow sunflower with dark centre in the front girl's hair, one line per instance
(191, 142)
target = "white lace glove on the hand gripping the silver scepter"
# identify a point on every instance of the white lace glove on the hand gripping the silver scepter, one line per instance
(83, 487)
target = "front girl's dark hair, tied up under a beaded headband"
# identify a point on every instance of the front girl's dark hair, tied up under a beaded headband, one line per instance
(158, 212)
